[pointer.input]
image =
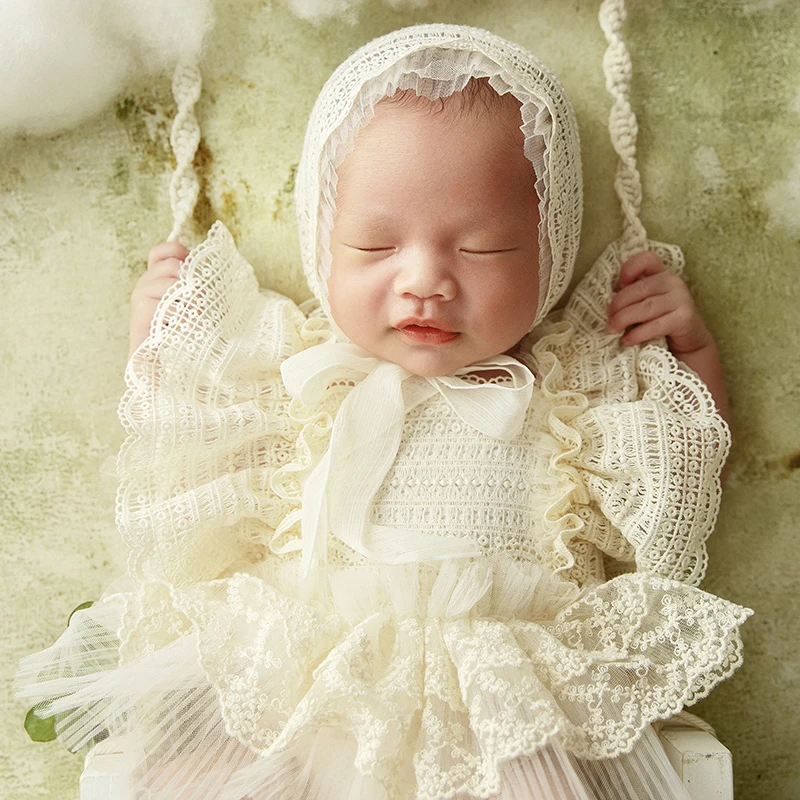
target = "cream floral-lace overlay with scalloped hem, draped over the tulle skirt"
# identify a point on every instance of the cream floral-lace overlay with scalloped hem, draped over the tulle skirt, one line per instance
(443, 675)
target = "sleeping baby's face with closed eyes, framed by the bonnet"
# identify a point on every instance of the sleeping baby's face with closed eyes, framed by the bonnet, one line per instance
(434, 245)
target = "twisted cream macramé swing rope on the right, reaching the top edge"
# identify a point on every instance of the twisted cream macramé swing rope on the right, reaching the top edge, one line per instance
(622, 127)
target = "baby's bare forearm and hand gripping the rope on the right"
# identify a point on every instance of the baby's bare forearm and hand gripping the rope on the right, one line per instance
(652, 302)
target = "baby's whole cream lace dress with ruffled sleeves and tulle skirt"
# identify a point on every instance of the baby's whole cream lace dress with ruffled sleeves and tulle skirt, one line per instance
(531, 666)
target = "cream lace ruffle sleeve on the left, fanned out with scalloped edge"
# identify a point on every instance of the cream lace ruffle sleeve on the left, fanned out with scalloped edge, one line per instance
(207, 421)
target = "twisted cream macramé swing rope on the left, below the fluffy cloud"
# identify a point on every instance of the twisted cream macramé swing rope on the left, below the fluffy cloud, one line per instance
(184, 138)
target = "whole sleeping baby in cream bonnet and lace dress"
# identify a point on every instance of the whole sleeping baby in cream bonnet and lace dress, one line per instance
(425, 541)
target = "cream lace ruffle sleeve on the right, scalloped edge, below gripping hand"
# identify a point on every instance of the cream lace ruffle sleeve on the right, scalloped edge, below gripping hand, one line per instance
(642, 440)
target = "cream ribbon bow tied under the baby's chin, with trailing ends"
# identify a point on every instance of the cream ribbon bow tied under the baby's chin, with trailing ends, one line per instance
(366, 436)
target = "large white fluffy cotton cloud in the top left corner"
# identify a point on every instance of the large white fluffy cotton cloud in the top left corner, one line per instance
(63, 60)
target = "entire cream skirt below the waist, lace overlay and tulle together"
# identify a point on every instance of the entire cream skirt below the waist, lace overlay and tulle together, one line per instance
(478, 678)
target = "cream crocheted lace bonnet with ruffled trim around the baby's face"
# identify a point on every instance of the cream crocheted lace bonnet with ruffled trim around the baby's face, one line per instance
(435, 61)
